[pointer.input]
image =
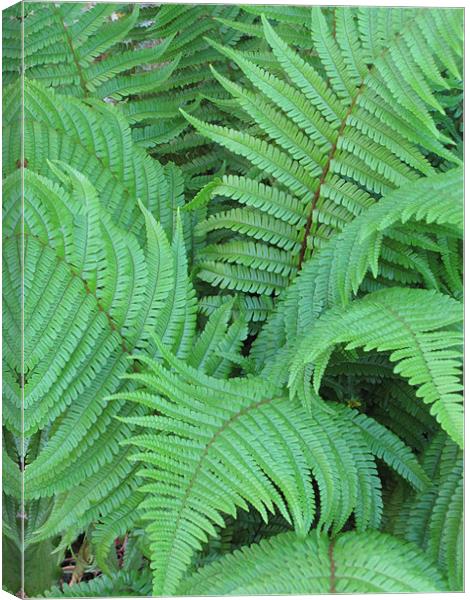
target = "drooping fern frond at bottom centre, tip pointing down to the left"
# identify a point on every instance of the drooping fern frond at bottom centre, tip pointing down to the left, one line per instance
(217, 427)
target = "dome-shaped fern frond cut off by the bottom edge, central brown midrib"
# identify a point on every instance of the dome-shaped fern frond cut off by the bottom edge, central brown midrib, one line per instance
(352, 563)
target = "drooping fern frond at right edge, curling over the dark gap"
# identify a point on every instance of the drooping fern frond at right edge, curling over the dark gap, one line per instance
(421, 335)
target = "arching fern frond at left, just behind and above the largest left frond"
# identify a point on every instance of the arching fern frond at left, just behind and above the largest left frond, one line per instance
(95, 141)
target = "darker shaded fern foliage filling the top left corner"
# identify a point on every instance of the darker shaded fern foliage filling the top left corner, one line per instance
(148, 61)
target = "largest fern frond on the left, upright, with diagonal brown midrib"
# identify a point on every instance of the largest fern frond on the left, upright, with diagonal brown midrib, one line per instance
(89, 295)
